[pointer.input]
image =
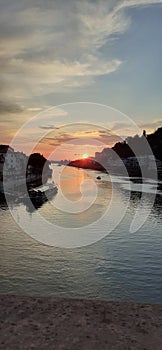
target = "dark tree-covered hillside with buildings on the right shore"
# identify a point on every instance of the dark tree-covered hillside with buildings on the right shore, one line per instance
(133, 153)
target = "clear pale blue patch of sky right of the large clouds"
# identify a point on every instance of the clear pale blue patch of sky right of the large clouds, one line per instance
(136, 87)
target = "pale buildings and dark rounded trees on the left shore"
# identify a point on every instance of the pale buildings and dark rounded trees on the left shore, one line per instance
(16, 169)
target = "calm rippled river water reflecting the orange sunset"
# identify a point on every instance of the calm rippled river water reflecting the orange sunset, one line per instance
(122, 266)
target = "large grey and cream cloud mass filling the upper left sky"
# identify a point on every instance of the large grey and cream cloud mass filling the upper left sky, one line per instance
(56, 46)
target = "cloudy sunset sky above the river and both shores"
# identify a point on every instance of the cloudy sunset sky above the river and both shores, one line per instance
(58, 52)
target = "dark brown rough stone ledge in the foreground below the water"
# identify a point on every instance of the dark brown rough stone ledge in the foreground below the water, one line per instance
(59, 324)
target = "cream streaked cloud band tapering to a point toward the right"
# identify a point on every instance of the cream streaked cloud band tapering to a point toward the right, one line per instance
(49, 76)
